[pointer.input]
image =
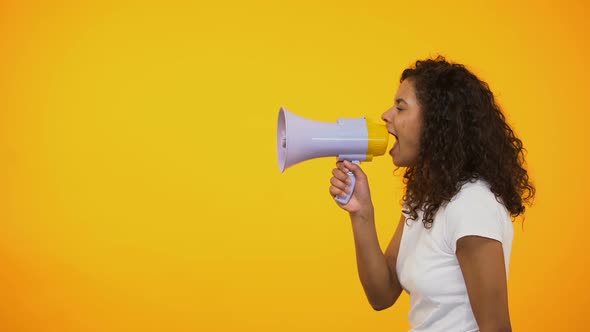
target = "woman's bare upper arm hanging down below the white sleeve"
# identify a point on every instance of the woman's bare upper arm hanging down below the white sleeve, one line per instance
(482, 264)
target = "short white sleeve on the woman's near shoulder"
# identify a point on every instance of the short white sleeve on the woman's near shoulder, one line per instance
(474, 211)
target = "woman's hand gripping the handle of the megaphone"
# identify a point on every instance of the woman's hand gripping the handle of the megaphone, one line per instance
(360, 202)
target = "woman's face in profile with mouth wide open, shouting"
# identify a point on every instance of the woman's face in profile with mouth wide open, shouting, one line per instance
(404, 121)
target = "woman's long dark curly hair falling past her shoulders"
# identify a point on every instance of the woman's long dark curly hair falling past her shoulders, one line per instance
(464, 137)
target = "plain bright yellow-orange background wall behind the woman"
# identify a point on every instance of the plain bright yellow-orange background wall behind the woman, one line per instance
(139, 189)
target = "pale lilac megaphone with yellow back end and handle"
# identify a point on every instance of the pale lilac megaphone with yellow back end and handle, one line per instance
(352, 139)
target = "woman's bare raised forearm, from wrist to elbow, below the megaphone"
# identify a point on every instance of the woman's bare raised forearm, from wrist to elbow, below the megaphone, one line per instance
(376, 277)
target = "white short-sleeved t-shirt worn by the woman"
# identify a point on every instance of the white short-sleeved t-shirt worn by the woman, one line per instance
(427, 265)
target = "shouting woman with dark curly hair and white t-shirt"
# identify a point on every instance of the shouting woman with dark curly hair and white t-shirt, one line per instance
(465, 179)
